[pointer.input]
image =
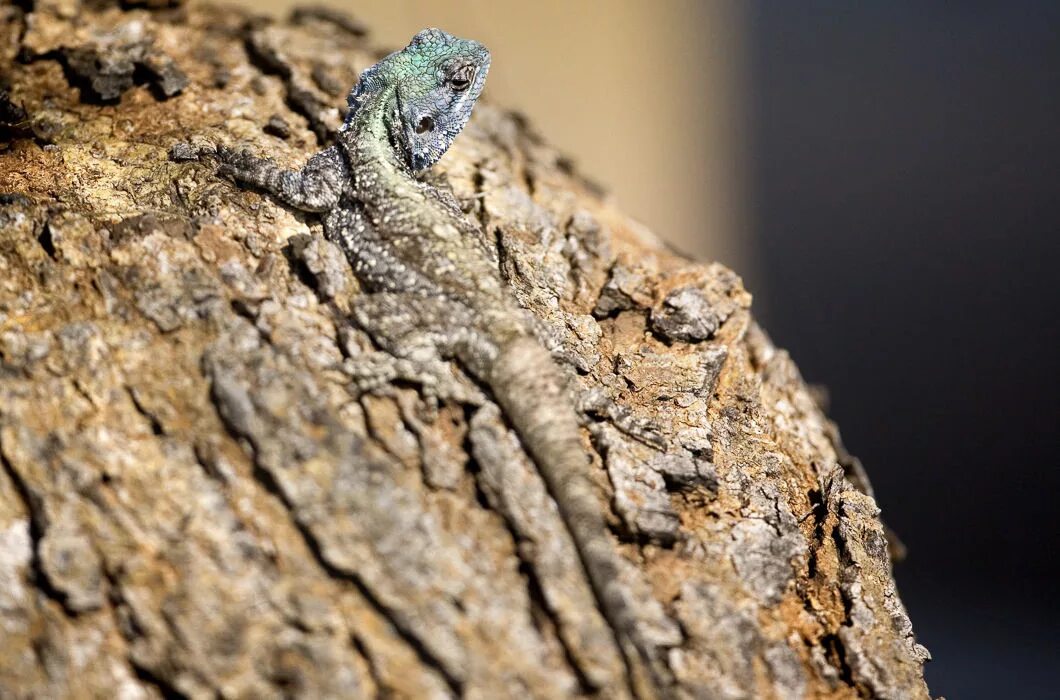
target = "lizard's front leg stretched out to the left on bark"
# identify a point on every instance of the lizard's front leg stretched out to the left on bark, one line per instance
(315, 188)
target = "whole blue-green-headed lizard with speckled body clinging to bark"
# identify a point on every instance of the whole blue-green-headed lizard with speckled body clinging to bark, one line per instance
(433, 279)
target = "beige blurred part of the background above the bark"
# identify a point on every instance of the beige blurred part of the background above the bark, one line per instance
(644, 96)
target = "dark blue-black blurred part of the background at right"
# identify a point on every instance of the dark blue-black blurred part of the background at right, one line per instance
(906, 195)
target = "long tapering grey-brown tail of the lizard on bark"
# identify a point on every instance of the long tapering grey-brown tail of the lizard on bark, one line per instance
(531, 389)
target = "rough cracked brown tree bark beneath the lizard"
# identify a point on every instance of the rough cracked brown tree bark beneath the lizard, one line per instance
(195, 502)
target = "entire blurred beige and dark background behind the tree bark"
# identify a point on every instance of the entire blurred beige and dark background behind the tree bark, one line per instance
(887, 178)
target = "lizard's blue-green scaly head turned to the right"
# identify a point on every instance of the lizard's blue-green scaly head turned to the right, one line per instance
(437, 79)
